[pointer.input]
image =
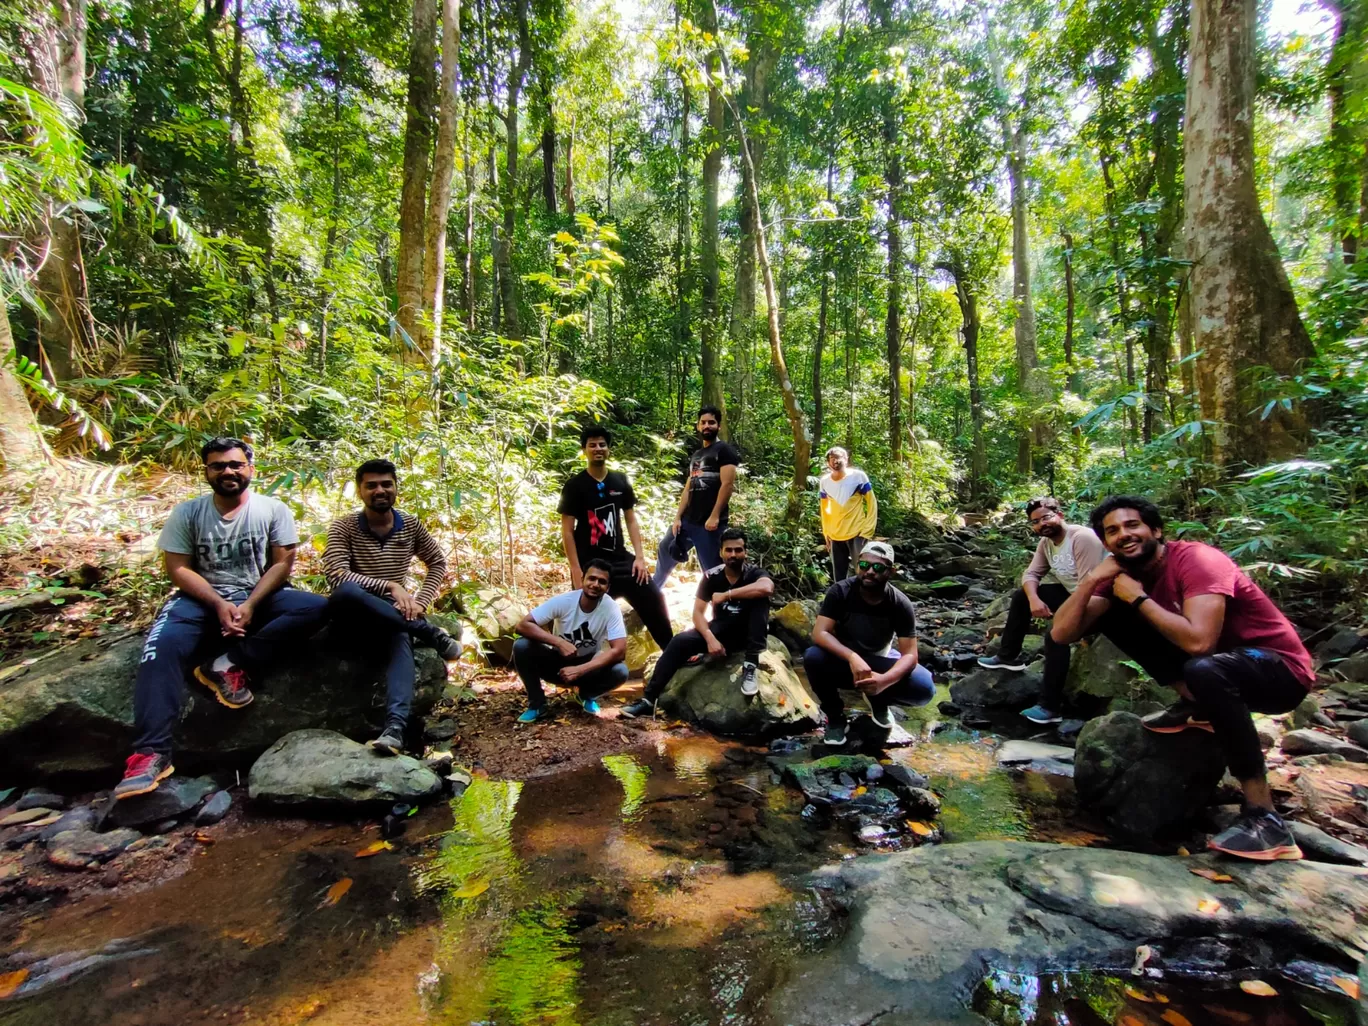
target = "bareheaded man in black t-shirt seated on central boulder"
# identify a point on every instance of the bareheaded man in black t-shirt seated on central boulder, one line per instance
(738, 593)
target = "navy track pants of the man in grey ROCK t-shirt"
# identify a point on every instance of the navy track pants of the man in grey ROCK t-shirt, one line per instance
(187, 633)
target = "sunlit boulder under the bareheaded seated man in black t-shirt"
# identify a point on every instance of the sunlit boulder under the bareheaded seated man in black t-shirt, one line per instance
(711, 696)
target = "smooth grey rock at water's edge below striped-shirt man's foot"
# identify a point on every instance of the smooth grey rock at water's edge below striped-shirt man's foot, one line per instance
(325, 769)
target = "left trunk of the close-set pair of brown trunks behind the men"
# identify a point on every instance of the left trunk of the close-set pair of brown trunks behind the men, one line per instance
(418, 146)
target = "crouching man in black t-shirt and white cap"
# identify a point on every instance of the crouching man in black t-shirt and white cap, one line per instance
(854, 645)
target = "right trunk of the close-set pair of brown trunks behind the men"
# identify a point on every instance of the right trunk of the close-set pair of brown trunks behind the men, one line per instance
(444, 169)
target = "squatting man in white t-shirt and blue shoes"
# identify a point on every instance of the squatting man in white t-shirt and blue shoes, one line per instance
(577, 640)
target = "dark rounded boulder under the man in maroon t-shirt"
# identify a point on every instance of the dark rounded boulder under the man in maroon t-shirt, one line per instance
(1144, 783)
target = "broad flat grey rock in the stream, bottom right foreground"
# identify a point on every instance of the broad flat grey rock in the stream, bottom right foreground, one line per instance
(920, 940)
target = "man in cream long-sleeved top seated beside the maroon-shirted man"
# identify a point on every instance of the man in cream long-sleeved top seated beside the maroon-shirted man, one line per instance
(1065, 555)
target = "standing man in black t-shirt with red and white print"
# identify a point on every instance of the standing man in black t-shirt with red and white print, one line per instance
(598, 507)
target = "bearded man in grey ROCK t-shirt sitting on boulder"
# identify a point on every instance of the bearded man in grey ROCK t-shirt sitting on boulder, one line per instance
(229, 555)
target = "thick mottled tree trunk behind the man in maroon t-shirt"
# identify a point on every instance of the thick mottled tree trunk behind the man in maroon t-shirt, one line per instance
(1243, 307)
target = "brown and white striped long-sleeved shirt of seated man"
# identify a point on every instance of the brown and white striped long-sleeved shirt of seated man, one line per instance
(356, 555)
